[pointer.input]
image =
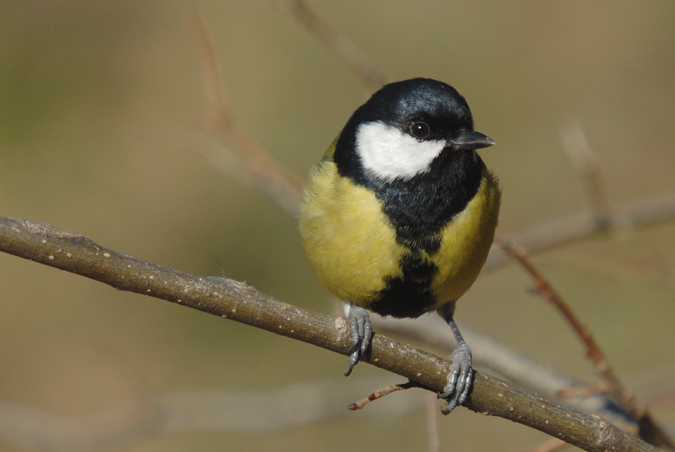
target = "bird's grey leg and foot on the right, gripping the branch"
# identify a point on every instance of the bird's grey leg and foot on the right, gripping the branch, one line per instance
(460, 378)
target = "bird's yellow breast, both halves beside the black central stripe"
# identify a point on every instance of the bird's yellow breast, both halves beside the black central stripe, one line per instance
(351, 243)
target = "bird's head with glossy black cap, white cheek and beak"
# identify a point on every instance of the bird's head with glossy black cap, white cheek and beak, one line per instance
(403, 128)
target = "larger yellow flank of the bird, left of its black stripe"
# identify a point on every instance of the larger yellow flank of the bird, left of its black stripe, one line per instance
(349, 240)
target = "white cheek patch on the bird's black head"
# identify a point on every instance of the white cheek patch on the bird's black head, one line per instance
(388, 153)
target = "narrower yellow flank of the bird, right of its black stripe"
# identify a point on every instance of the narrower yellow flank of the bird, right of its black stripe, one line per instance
(465, 243)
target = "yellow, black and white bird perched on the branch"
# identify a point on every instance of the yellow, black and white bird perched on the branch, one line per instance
(399, 215)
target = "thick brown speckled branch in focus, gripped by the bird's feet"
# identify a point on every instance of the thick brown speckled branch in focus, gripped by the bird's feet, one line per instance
(237, 301)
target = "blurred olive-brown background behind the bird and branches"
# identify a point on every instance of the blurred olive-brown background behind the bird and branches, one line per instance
(100, 109)
